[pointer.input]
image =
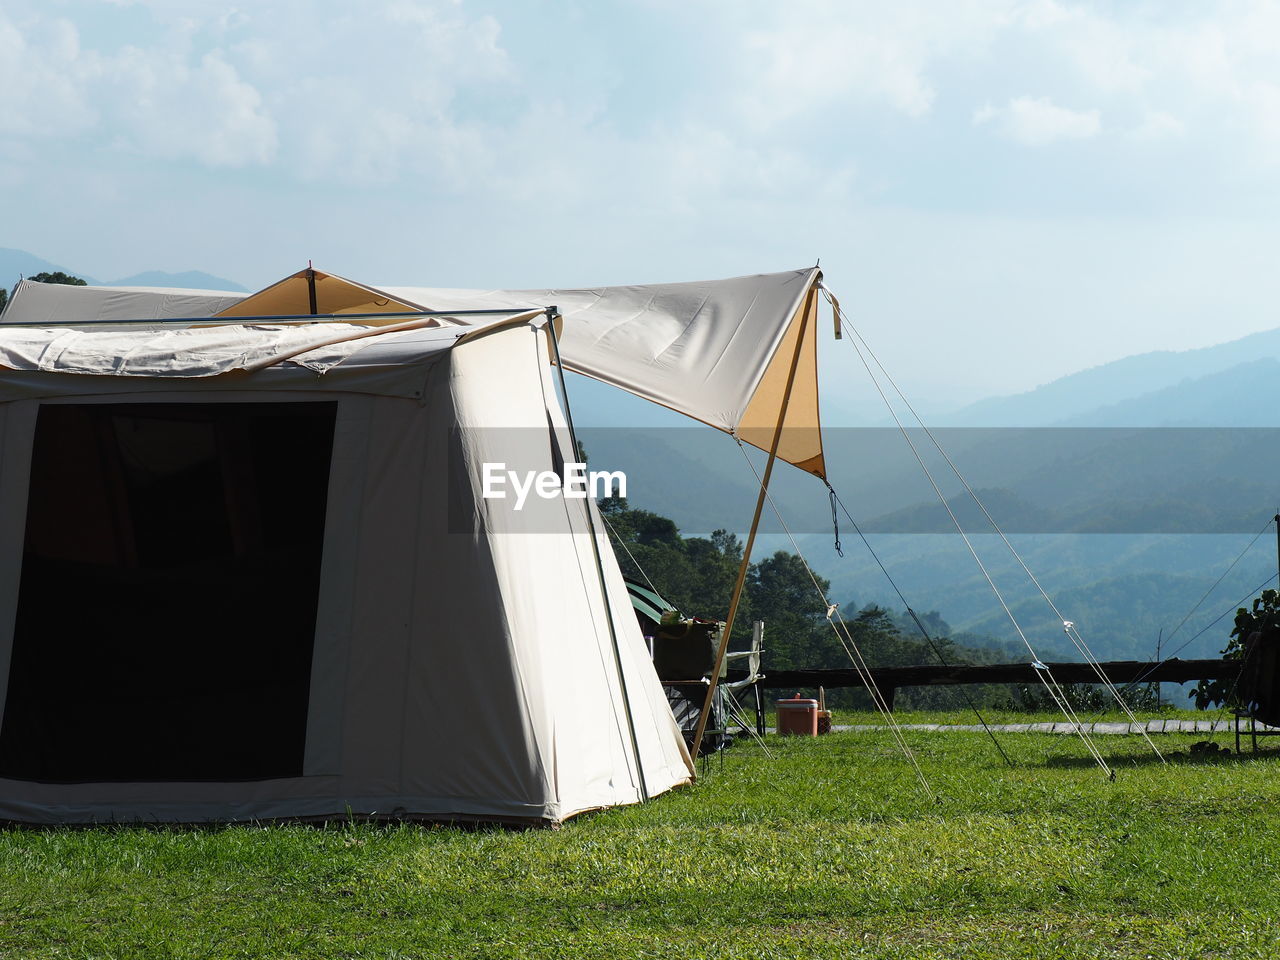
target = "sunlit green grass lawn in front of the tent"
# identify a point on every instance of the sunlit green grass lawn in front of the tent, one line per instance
(828, 849)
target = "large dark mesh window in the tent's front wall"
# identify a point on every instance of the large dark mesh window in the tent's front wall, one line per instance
(170, 587)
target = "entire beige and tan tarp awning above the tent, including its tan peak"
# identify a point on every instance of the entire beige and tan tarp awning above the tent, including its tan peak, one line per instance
(719, 351)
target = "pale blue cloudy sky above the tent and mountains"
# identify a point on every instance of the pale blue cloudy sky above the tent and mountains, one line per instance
(1000, 191)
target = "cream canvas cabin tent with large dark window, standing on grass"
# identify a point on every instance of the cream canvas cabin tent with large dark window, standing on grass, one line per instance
(235, 595)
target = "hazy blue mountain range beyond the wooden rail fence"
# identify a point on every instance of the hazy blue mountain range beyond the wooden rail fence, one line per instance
(1140, 493)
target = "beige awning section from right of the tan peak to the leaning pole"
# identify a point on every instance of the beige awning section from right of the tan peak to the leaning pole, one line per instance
(719, 351)
